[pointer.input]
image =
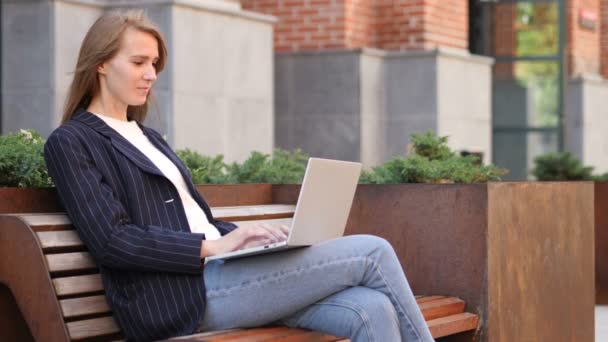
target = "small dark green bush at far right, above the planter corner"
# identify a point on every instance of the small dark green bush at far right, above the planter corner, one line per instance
(560, 167)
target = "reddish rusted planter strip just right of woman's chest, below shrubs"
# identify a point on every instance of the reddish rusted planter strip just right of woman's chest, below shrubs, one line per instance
(236, 194)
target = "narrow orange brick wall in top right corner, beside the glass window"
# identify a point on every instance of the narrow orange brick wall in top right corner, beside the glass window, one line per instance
(583, 45)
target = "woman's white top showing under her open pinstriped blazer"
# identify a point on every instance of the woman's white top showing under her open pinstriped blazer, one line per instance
(196, 216)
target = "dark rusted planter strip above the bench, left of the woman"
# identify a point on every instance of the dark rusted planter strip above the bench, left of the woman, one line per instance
(29, 200)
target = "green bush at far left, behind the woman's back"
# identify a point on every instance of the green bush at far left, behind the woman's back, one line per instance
(22, 160)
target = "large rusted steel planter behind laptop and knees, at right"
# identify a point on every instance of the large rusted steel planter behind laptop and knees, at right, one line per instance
(519, 254)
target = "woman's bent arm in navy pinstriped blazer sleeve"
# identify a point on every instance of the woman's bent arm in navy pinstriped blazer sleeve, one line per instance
(102, 221)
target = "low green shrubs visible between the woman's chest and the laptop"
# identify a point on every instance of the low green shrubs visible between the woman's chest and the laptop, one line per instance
(280, 168)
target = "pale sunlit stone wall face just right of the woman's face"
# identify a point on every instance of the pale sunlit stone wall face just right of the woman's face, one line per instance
(222, 83)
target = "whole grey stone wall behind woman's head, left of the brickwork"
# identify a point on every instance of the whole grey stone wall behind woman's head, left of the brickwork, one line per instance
(215, 95)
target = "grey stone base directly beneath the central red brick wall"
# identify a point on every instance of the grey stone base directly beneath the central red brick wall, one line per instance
(364, 104)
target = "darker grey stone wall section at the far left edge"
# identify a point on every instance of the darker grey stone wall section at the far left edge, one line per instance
(28, 72)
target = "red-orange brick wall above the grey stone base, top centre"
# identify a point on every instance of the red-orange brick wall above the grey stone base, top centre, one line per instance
(384, 24)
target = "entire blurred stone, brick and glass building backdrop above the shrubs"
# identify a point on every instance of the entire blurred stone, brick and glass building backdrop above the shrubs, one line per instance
(345, 79)
